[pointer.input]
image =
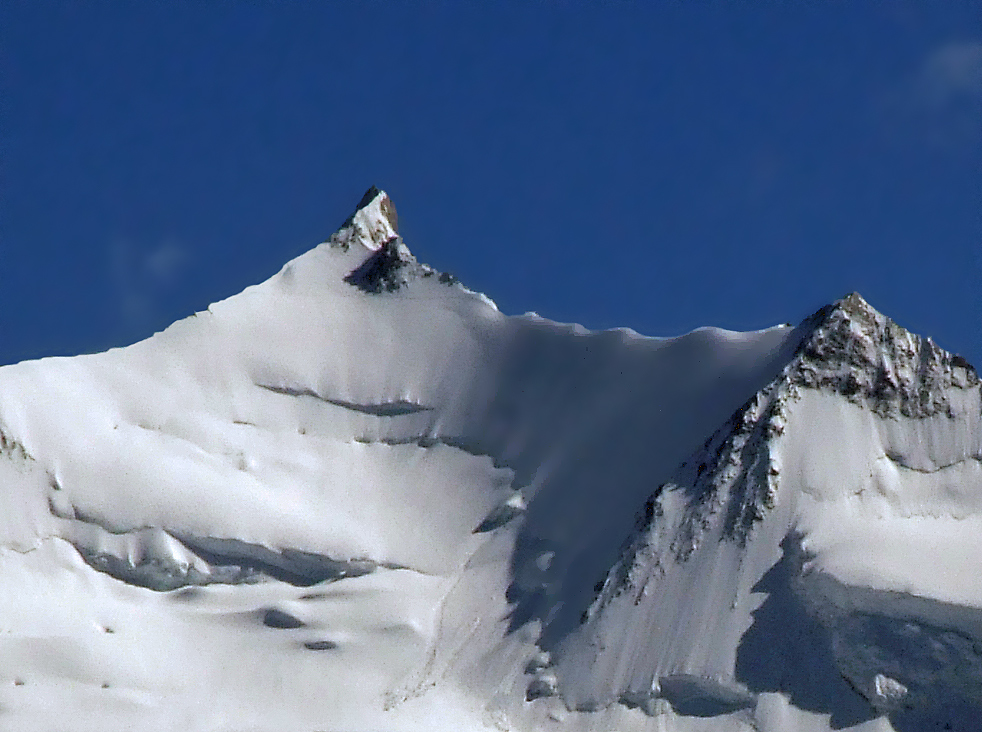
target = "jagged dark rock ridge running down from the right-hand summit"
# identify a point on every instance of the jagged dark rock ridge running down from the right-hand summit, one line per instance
(847, 348)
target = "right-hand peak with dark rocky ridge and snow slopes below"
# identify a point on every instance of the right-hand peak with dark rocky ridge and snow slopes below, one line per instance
(826, 532)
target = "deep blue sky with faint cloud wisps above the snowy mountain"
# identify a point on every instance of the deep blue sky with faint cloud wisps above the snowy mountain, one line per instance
(655, 165)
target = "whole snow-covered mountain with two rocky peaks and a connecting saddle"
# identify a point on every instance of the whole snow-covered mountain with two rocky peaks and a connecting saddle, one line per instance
(358, 497)
